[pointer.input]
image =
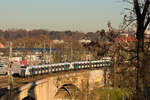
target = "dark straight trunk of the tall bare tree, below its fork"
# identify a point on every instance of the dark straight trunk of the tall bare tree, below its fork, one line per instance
(140, 64)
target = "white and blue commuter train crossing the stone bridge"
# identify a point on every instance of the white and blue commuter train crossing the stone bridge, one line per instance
(49, 68)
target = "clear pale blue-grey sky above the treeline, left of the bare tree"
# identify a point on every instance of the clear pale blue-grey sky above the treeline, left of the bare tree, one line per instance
(60, 15)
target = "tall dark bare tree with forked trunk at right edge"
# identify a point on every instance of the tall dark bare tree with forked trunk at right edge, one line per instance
(141, 15)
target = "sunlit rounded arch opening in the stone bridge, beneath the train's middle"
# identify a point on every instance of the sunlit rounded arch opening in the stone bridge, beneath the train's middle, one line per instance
(68, 91)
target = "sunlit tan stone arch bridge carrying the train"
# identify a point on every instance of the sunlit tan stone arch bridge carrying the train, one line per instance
(70, 85)
